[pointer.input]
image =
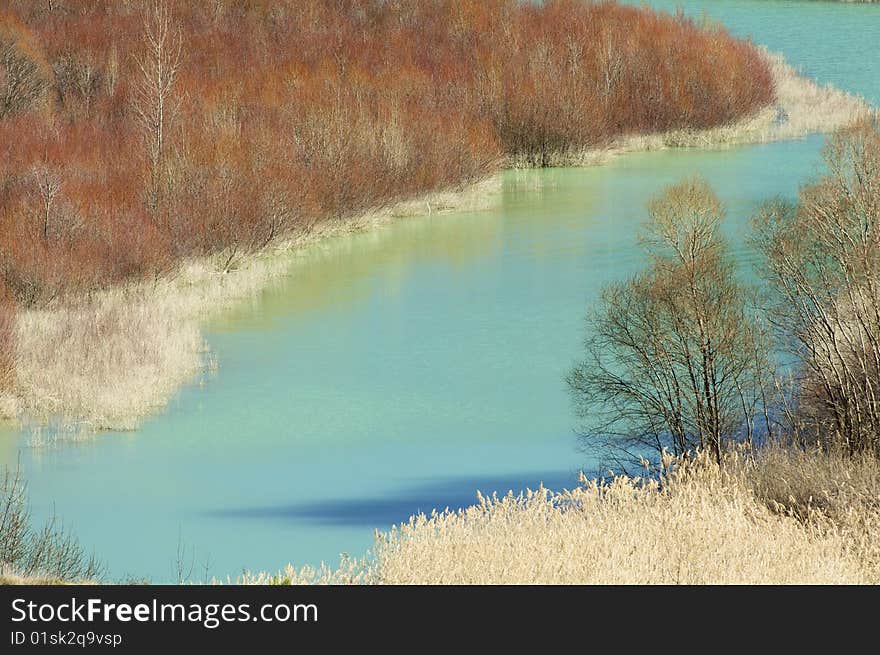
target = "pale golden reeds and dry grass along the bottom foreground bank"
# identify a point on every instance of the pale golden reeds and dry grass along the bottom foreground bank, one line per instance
(781, 517)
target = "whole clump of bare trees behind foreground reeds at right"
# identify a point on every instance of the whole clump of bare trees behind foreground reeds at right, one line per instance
(682, 356)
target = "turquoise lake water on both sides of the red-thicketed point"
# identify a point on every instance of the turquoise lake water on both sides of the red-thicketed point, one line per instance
(404, 368)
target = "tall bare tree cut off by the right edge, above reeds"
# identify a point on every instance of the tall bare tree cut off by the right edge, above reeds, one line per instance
(823, 261)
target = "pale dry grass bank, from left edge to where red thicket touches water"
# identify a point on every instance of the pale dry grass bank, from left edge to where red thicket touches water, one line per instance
(107, 360)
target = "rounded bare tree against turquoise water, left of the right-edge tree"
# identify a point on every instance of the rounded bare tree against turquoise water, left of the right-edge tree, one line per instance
(674, 358)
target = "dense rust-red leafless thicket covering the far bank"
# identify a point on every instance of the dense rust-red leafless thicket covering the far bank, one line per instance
(134, 135)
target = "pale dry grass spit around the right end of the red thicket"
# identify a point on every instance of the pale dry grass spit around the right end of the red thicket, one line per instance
(801, 107)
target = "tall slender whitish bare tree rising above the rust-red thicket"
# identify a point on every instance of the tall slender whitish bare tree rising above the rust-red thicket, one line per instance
(158, 64)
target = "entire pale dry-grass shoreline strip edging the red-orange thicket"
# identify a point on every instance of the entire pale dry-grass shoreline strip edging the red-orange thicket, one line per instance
(108, 360)
